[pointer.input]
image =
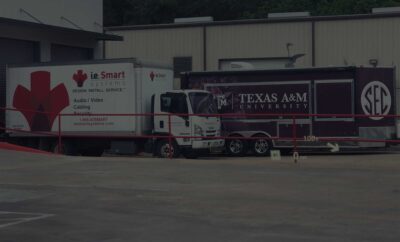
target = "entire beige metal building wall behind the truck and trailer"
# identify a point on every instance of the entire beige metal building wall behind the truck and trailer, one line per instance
(338, 42)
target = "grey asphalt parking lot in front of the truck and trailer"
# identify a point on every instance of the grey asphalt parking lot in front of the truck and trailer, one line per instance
(321, 198)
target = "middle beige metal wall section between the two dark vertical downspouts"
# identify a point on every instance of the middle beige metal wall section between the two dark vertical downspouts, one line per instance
(258, 41)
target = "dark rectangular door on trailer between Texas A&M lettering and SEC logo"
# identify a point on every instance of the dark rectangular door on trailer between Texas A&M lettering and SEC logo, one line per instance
(334, 102)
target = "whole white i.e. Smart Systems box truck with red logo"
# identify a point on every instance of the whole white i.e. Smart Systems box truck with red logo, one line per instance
(122, 105)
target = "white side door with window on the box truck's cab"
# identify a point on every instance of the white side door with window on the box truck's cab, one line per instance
(176, 105)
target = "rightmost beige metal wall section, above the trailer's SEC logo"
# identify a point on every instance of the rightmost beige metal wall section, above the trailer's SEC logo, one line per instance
(355, 42)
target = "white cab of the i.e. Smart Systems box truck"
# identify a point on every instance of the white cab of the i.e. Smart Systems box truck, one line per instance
(185, 122)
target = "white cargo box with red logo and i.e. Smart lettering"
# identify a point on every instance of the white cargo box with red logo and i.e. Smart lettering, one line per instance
(108, 87)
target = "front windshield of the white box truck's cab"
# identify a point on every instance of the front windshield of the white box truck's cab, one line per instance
(203, 103)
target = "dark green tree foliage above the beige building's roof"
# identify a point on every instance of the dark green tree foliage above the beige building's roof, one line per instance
(134, 12)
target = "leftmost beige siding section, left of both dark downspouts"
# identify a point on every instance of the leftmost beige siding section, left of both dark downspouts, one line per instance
(159, 45)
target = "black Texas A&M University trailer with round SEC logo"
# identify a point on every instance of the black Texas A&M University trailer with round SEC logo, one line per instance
(328, 105)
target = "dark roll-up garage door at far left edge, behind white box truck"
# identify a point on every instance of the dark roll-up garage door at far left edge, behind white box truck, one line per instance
(14, 52)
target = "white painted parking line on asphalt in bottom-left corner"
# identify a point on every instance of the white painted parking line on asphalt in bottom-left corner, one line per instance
(20, 218)
